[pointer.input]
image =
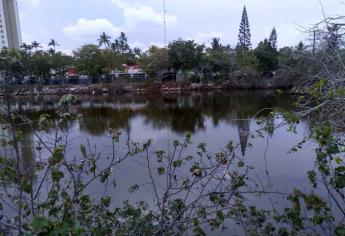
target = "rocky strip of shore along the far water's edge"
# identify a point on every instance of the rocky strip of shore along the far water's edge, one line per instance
(126, 87)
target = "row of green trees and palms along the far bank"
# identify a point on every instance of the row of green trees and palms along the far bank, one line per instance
(190, 59)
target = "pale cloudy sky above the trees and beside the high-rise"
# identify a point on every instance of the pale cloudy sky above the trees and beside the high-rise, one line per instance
(76, 22)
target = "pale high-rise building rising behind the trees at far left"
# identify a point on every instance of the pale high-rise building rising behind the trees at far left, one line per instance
(10, 34)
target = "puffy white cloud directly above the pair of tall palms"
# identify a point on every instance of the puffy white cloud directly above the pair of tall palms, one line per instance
(85, 30)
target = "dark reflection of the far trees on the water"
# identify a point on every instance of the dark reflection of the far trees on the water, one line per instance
(179, 113)
